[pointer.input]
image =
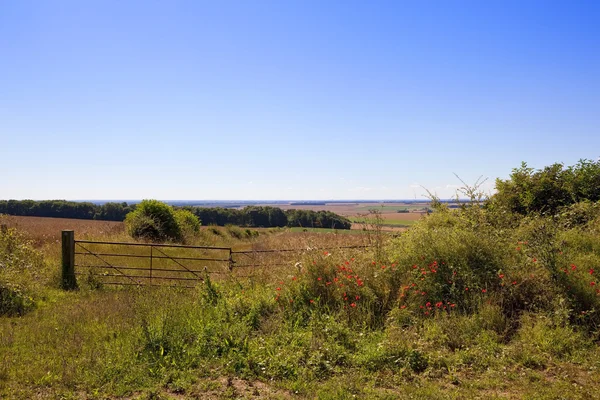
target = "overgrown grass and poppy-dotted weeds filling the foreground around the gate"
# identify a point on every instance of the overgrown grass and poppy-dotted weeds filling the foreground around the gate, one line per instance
(329, 324)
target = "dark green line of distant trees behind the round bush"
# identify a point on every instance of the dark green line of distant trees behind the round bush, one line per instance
(251, 216)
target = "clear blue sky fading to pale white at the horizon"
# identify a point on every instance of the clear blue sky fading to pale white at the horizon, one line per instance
(290, 99)
